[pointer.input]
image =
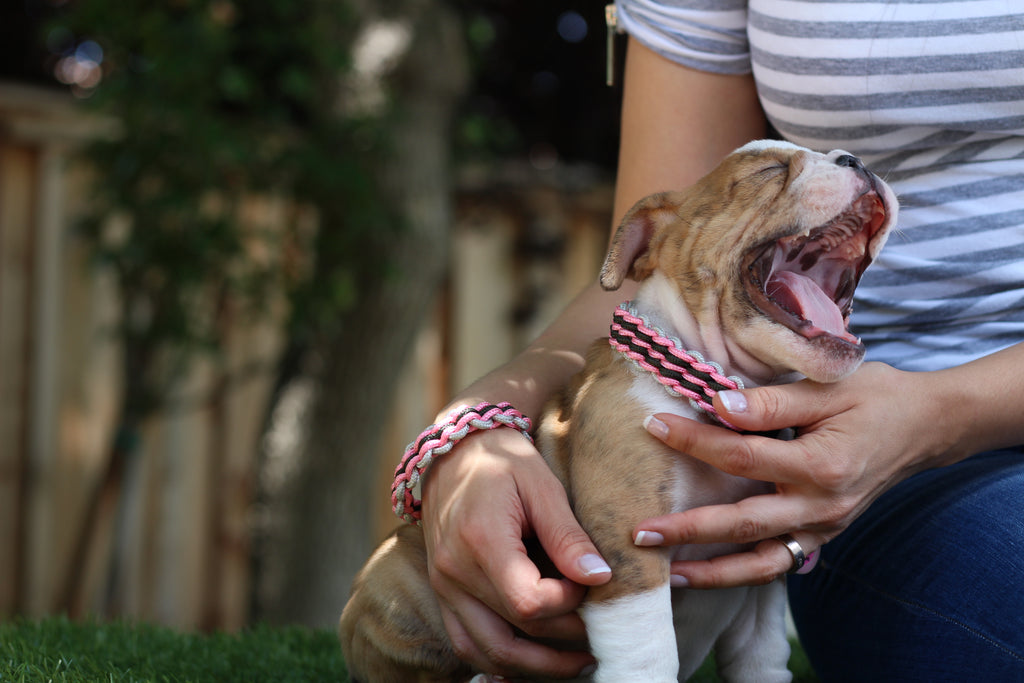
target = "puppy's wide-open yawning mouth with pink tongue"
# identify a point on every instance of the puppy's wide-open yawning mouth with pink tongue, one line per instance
(806, 282)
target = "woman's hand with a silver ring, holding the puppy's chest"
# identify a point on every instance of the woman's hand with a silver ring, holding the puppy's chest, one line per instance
(856, 439)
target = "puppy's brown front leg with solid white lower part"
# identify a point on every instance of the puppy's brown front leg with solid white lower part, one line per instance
(617, 476)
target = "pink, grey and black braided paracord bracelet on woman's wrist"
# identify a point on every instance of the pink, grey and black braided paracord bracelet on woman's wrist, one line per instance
(439, 440)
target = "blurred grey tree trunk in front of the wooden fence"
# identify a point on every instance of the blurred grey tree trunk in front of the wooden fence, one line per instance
(319, 534)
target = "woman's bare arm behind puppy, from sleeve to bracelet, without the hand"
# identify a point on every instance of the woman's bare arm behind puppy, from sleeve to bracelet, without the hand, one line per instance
(677, 125)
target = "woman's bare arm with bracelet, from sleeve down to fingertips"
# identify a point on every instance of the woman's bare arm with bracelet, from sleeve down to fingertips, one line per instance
(495, 490)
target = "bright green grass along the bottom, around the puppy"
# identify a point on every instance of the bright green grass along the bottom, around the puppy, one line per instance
(60, 651)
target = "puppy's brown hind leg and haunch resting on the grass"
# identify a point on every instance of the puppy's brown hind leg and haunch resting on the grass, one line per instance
(392, 629)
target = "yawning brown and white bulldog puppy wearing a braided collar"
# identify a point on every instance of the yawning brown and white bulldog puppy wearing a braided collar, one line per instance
(746, 279)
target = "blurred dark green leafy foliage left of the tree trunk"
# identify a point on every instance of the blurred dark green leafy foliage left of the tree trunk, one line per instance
(218, 103)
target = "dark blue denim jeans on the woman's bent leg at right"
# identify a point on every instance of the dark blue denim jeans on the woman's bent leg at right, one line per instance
(928, 585)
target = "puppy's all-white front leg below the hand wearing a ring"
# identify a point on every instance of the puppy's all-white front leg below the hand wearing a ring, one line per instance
(755, 647)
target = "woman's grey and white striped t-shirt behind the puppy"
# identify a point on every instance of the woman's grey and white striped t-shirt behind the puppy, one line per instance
(930, 94)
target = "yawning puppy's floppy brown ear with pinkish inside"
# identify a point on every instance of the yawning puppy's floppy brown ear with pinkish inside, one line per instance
(631, 252)
